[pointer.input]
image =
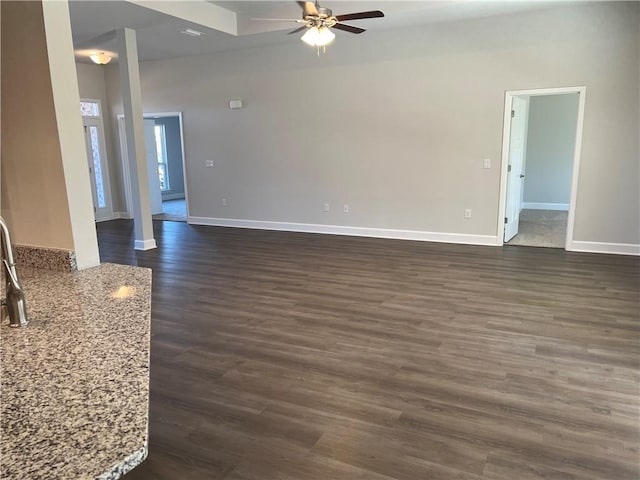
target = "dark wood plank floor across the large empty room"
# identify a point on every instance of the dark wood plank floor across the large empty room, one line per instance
(296, 356)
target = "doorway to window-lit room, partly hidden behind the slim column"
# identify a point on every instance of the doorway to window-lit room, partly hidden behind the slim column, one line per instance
(164, 148)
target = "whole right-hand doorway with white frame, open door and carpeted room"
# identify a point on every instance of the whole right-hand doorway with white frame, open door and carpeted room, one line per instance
(541, 152)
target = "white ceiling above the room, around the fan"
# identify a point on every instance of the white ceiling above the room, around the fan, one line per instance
(94, 21)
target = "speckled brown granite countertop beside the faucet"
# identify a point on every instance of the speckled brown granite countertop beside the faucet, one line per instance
(74, 396)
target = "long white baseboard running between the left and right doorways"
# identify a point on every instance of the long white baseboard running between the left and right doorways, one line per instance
(352, 231)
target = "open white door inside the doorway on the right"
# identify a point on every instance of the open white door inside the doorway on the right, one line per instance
(515, 173)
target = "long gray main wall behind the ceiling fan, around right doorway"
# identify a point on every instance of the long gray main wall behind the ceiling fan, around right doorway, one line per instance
(396, 122)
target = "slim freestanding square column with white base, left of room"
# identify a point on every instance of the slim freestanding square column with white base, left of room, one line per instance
(134, 126)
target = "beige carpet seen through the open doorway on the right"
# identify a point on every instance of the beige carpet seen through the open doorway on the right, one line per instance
(541, 228)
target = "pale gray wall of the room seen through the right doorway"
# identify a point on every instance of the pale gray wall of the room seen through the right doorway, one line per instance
(551, 137)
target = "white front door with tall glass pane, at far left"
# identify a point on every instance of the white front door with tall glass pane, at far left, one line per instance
(98, 168)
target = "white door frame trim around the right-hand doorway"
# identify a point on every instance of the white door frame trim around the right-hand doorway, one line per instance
(506, 135)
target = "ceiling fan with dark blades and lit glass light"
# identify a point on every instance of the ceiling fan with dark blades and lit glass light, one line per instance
(317, 21)
